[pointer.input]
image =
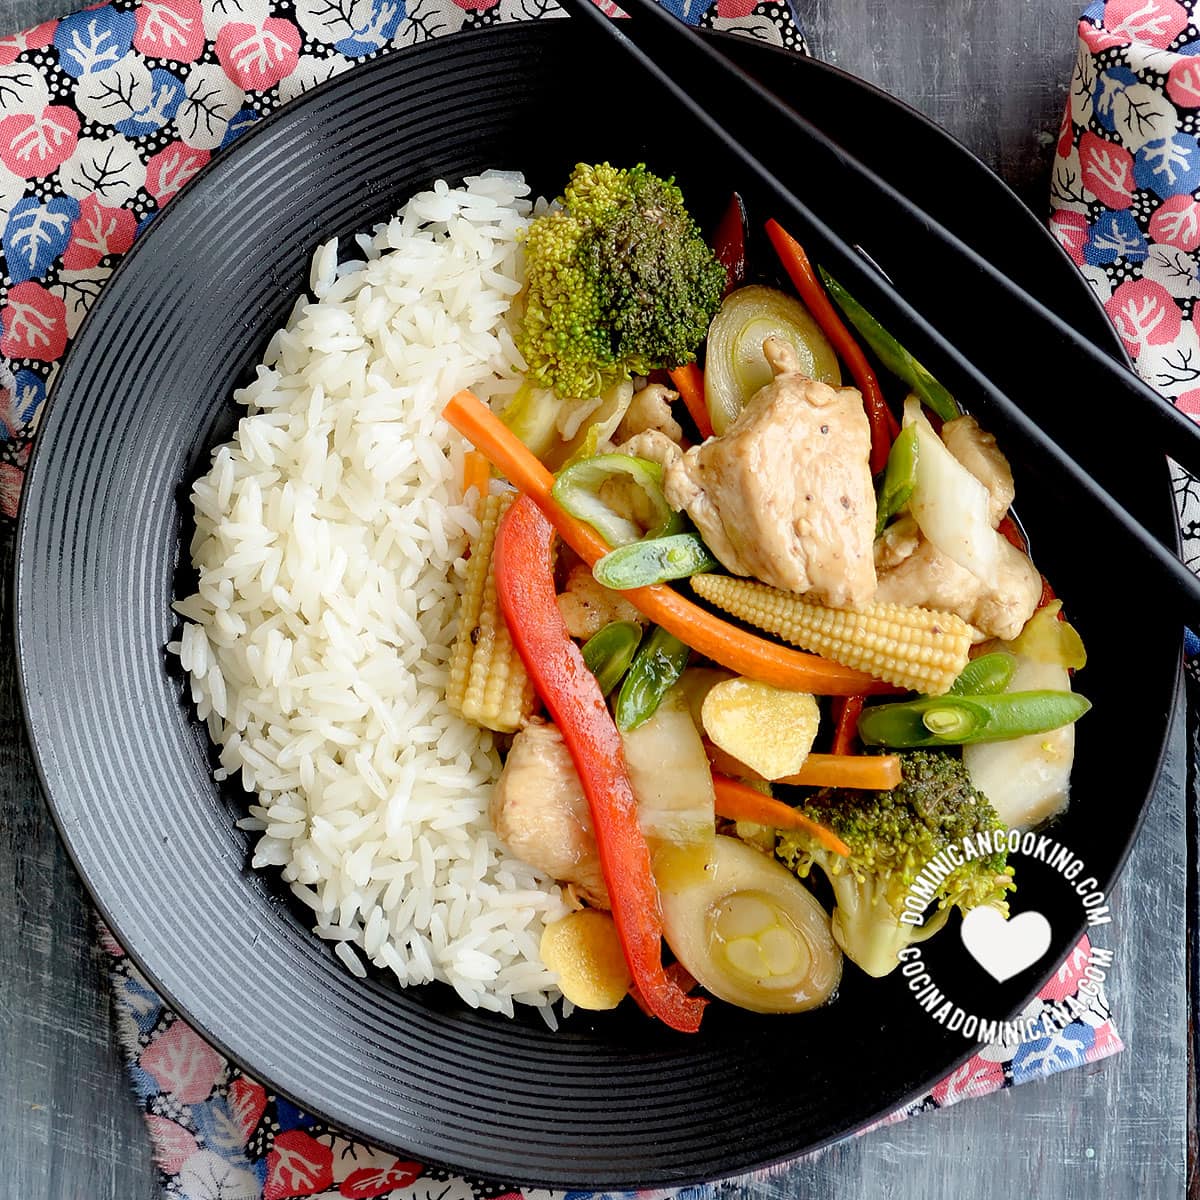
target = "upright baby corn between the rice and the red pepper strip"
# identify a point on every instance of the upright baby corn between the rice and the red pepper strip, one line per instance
(489, 685)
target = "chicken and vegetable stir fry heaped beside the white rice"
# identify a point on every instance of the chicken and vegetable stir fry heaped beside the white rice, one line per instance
(745, 625)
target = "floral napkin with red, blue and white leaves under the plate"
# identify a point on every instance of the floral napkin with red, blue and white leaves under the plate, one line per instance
(106, 115)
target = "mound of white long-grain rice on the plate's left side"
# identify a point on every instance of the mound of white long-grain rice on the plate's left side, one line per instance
(329, 543)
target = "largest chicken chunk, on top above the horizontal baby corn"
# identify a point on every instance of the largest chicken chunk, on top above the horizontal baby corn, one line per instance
(785, 495)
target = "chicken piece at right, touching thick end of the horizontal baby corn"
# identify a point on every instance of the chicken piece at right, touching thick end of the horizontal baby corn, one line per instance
(932, 580)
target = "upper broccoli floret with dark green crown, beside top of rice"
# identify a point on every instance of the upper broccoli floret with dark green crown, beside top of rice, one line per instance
(619, 283)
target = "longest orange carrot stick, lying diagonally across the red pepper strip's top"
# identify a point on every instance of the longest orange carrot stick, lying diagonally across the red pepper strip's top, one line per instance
(718, 640)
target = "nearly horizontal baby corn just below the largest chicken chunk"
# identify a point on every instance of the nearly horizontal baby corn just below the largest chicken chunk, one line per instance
(914, 649)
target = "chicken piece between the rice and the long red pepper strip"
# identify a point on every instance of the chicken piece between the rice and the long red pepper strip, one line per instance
(538, 809)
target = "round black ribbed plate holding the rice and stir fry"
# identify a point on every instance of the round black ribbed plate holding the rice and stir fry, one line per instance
(610, 1101)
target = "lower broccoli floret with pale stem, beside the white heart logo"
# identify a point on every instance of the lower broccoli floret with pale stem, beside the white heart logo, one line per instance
(892, 837)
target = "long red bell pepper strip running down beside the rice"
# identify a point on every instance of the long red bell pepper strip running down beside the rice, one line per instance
(525, 587)
